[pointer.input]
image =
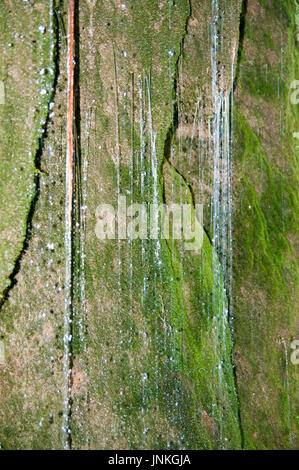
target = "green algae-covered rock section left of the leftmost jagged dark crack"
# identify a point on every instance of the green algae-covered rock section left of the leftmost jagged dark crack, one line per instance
(27, 38)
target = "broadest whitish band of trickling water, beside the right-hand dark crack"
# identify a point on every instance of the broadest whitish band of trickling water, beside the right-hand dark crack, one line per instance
(221, 204)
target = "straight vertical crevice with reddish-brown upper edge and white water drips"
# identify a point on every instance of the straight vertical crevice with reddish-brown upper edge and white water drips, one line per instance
(73, 323)
